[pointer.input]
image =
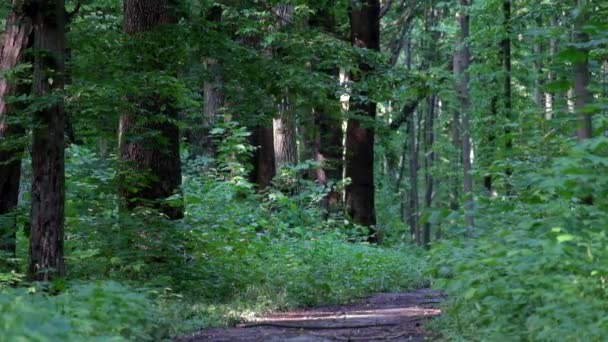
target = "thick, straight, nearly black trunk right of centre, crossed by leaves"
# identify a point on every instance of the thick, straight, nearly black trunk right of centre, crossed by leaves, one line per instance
(360, 193)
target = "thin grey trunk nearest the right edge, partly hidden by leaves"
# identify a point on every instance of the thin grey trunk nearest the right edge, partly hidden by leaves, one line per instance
(582, 94)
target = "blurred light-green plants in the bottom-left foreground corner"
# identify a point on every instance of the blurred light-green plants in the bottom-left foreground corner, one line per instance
(103, 311)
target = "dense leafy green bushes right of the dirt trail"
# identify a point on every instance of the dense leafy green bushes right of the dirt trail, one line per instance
(537, 272)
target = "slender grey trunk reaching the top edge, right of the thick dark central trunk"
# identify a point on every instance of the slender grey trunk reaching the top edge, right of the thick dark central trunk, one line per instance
(461, 65)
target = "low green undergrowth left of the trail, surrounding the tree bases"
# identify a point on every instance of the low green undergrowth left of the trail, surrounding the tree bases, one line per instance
(237, 254)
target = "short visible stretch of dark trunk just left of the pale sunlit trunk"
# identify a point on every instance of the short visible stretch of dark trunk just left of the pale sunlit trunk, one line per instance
(263, 158)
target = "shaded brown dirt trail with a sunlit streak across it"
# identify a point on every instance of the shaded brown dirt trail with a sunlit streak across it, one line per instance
(383, 317)
